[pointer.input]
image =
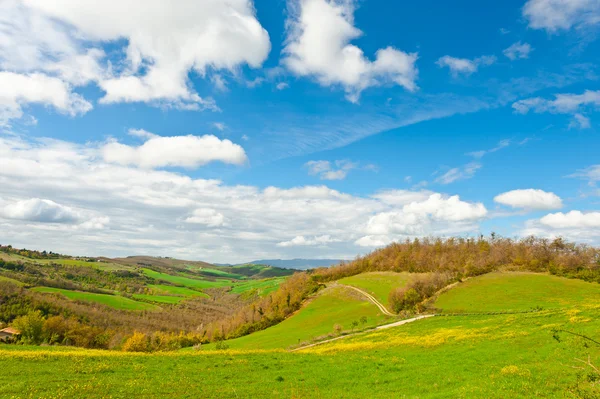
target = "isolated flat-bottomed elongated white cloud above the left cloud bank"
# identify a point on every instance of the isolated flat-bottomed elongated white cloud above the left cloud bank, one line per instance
(185, 151)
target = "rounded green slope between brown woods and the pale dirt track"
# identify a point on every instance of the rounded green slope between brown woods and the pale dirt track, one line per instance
(335, 305)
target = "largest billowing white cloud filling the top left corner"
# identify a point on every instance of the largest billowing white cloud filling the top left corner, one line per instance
(63, 40)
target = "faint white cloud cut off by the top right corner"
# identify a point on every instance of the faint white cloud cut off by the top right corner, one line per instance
(555, 15)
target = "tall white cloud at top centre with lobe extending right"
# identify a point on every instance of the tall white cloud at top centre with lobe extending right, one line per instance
(319, 33)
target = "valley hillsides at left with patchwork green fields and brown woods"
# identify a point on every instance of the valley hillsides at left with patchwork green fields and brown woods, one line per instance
(112, 298)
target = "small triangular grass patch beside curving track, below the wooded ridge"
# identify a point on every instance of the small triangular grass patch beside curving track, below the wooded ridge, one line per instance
(379, 284)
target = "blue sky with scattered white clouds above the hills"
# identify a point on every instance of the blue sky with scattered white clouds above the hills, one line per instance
(233, 130)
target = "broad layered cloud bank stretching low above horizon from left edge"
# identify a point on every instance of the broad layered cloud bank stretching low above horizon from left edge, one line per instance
(161, 212)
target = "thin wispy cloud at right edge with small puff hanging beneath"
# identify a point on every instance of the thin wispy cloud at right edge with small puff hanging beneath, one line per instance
(567, 103)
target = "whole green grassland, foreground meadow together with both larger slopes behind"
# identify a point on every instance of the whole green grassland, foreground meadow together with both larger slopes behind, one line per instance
(523, 355)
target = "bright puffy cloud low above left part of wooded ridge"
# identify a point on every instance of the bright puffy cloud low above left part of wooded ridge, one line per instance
(445, 215)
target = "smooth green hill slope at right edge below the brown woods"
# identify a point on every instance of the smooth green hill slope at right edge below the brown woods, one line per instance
(496, 292)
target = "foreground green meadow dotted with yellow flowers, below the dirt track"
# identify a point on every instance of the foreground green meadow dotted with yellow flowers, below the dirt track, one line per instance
(492, 357)
